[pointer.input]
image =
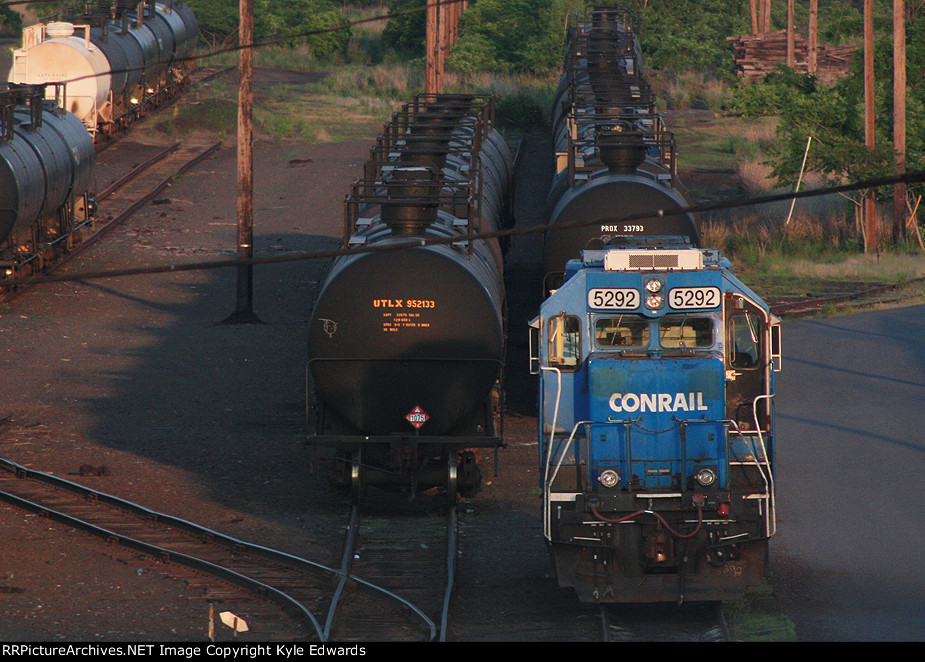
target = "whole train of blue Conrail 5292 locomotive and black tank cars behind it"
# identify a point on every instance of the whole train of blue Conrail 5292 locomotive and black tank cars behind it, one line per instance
(656, 364)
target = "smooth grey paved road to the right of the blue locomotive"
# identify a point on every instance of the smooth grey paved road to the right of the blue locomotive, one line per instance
(849, 559)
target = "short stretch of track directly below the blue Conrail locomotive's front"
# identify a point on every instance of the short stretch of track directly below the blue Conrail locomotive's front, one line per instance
(661, 622)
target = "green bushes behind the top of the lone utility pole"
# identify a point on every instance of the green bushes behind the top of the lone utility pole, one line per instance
(275, 20)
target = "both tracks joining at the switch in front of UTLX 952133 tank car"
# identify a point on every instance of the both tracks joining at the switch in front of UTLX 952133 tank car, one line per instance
(384, 590)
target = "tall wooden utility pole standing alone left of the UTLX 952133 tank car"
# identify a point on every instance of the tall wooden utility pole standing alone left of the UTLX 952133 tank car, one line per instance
(244, 309)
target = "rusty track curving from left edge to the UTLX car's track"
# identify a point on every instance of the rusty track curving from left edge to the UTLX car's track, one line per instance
(273, 591)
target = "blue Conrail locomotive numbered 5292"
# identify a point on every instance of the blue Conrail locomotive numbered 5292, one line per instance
(655, 396)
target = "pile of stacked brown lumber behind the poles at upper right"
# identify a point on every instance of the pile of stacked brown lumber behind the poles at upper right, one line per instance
(759, 54)
